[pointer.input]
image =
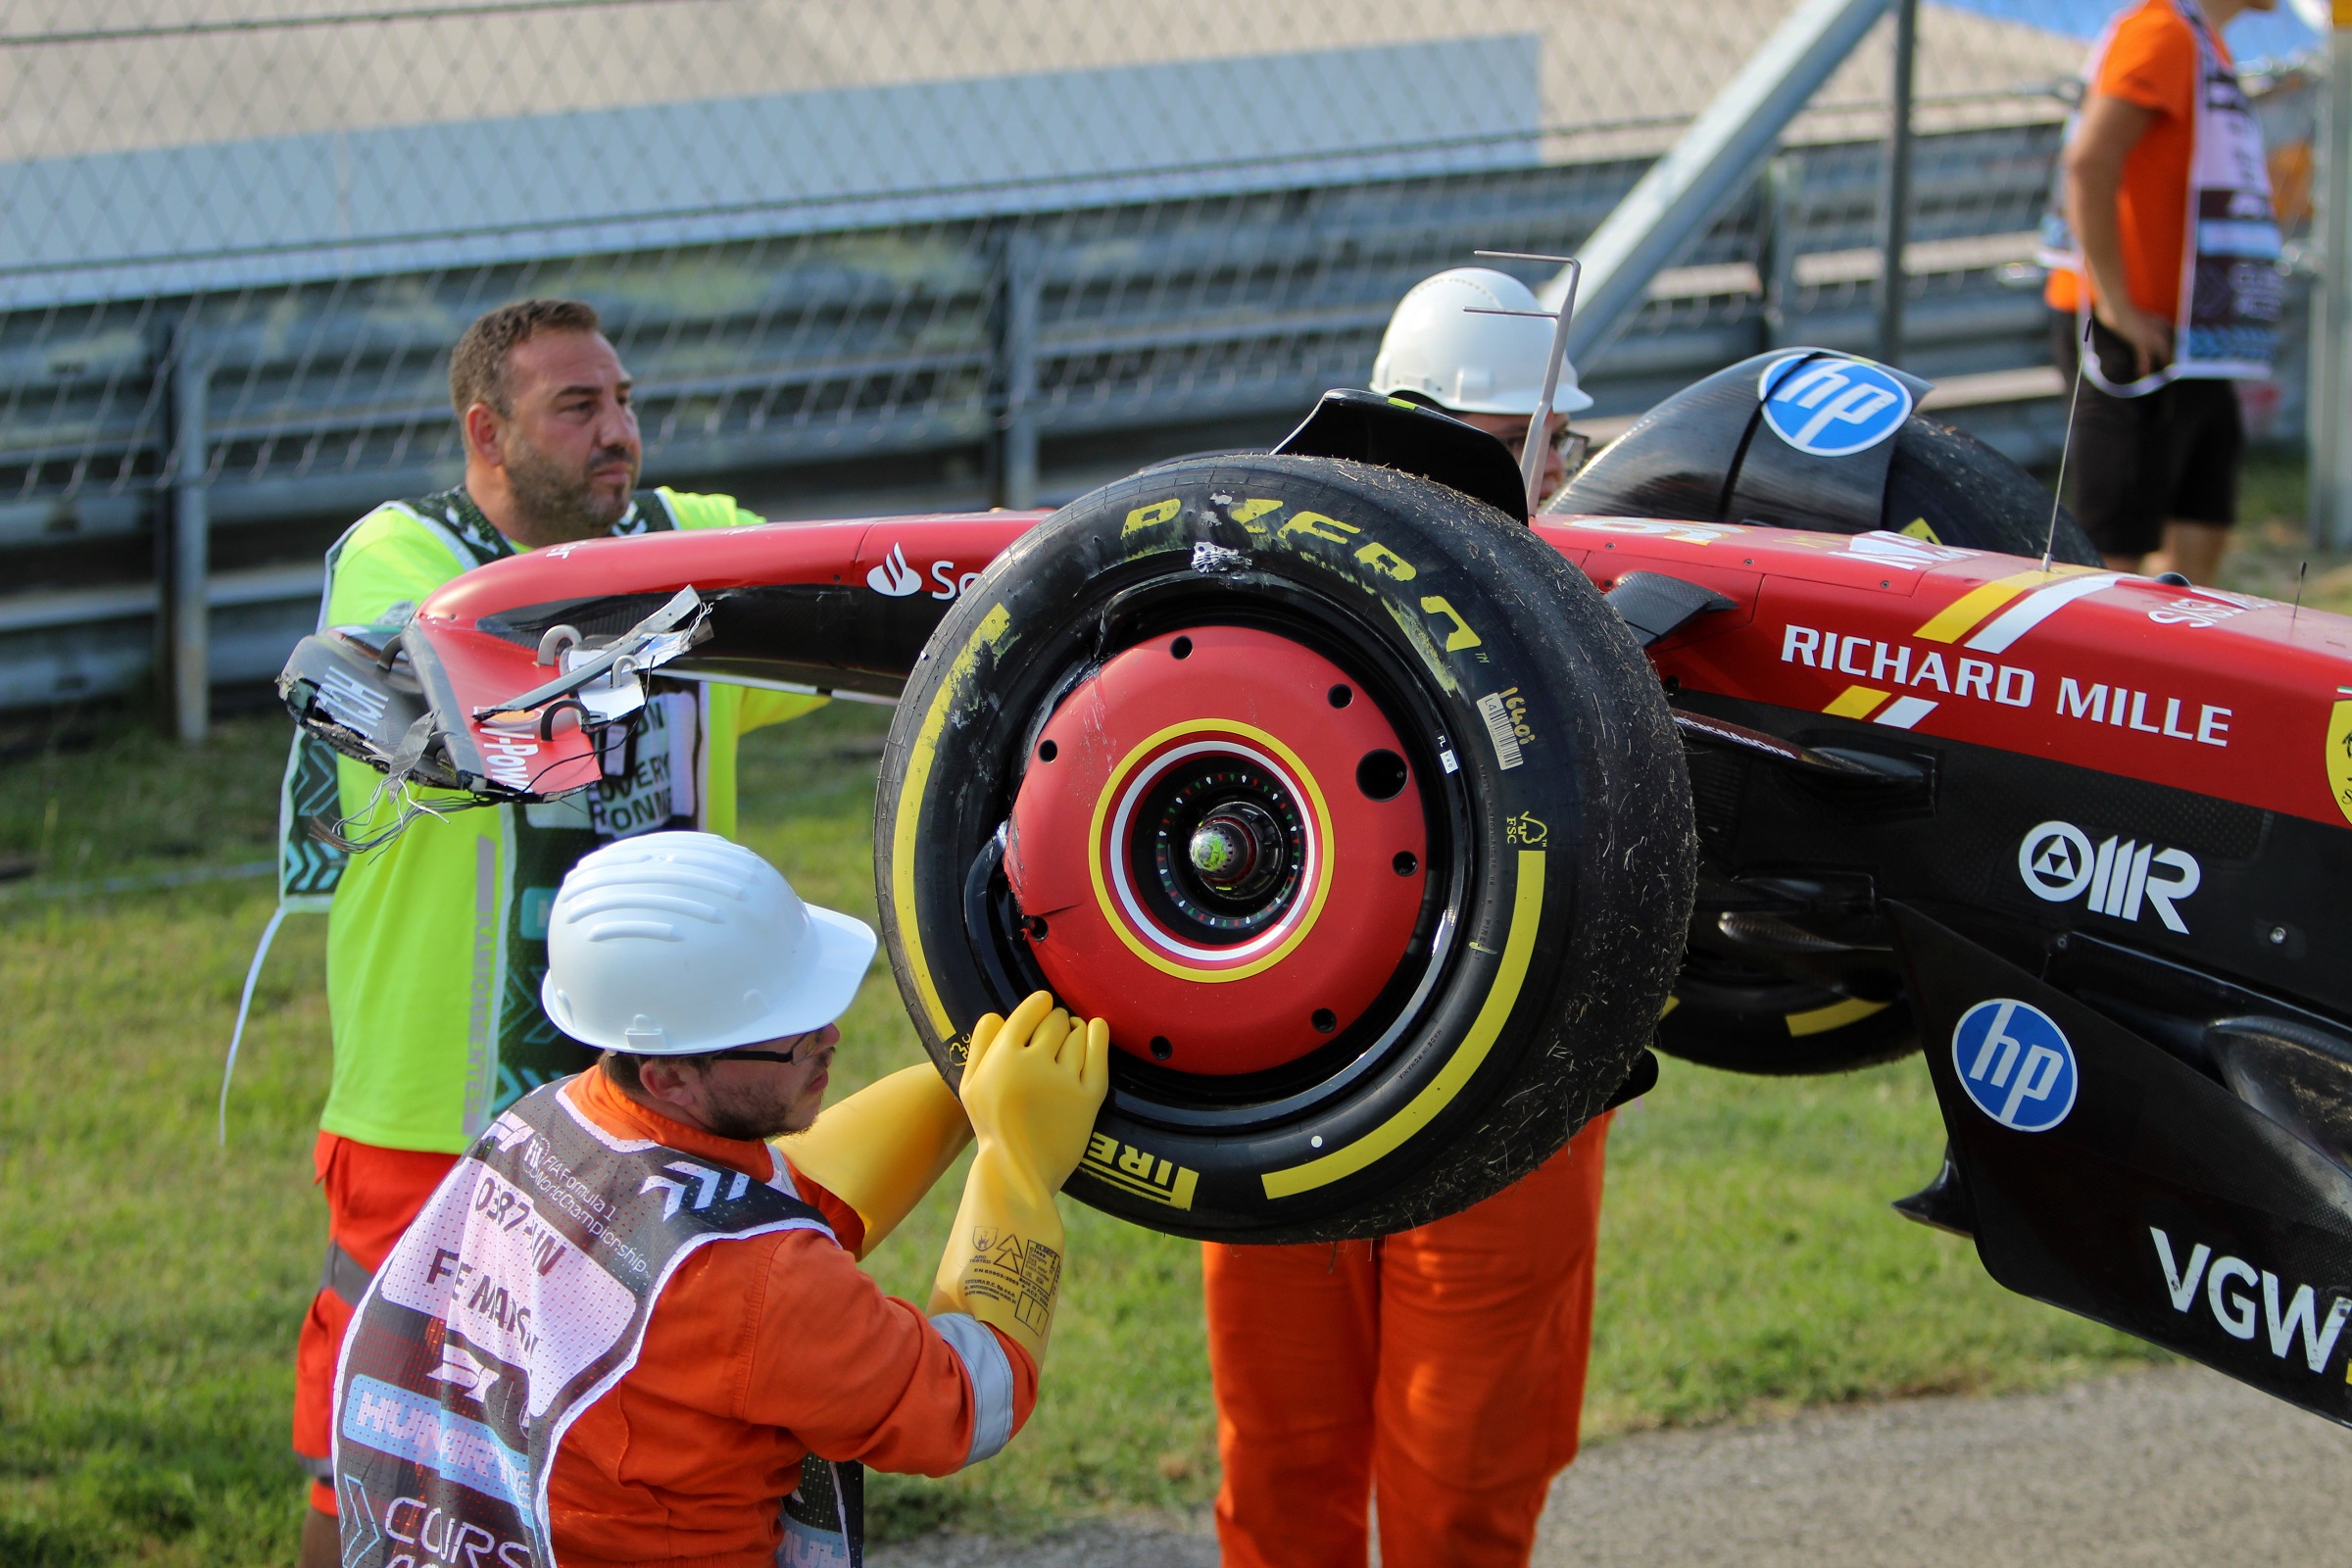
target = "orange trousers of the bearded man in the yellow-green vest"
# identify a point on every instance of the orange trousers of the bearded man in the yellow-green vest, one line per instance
(373, 1198)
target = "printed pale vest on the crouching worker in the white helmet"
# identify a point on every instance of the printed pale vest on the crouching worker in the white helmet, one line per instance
(512, 1306)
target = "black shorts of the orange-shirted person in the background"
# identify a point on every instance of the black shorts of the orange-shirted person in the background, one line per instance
(2139, 462)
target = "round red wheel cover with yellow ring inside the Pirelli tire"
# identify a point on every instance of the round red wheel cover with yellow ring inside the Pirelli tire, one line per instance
(1222, 850)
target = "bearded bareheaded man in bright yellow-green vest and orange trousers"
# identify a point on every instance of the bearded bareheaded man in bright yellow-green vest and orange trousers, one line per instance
(436, 942)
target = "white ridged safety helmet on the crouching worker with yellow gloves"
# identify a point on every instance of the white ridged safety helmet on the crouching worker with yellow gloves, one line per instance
(683, 942)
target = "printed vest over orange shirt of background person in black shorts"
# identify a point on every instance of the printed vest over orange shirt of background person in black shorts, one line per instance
(2231, 288)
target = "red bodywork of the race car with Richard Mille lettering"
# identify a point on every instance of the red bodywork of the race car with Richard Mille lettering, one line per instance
(2196, 690)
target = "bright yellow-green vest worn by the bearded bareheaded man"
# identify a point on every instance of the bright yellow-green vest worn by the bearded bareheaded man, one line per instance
(436, 942)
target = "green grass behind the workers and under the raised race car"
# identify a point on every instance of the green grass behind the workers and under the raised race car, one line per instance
(152, 1285)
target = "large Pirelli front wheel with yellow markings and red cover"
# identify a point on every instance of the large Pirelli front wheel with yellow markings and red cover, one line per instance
(1342, 796)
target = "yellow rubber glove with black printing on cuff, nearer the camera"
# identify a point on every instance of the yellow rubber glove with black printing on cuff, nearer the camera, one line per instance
(1031, 1099)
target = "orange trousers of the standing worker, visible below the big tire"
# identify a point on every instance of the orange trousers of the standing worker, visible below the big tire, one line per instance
(1441, 1369)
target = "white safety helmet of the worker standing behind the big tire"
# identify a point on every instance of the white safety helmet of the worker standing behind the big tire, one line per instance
(1471, 363)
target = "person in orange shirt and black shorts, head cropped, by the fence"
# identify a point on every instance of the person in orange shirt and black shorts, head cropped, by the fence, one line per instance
(2163, 250)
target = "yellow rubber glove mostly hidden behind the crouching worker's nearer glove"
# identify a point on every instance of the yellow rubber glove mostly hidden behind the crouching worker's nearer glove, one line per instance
(886, 1146)
